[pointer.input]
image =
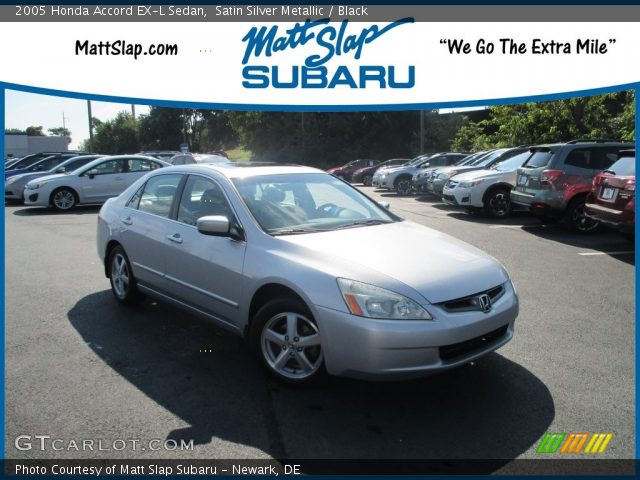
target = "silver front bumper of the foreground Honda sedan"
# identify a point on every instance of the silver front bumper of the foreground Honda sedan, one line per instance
(392, 349)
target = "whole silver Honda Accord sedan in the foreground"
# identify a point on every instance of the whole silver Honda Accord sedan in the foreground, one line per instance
(315, 275)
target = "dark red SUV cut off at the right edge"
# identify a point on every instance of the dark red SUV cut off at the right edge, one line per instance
(612, 198)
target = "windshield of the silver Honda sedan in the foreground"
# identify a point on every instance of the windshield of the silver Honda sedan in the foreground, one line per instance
(289, 204)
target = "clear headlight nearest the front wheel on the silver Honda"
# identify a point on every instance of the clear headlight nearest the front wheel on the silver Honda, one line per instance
(369, 301)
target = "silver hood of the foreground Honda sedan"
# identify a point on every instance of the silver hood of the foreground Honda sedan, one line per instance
(431, 263)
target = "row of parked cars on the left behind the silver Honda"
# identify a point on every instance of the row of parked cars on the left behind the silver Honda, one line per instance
(63, 180)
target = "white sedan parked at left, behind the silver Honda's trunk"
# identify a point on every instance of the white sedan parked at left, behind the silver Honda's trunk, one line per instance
(94, 183)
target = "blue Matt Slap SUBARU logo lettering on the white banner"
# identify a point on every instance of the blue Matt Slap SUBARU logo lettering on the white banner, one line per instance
(326, 41)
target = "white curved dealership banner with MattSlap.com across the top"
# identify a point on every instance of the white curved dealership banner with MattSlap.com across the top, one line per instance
(327, 57)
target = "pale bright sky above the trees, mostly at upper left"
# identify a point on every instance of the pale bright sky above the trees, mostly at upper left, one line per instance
(23, 109)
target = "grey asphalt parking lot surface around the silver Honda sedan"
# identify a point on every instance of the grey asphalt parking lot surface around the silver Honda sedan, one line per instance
(79, 366)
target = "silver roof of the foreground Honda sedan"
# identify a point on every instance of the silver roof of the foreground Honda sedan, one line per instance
(244, 169)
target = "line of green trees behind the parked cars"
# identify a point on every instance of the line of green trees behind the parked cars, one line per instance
(332, 138)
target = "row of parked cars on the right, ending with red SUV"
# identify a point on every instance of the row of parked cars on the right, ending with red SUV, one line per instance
(584, 182)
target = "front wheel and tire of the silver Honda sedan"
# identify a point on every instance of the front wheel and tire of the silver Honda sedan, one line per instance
(286, 339)
